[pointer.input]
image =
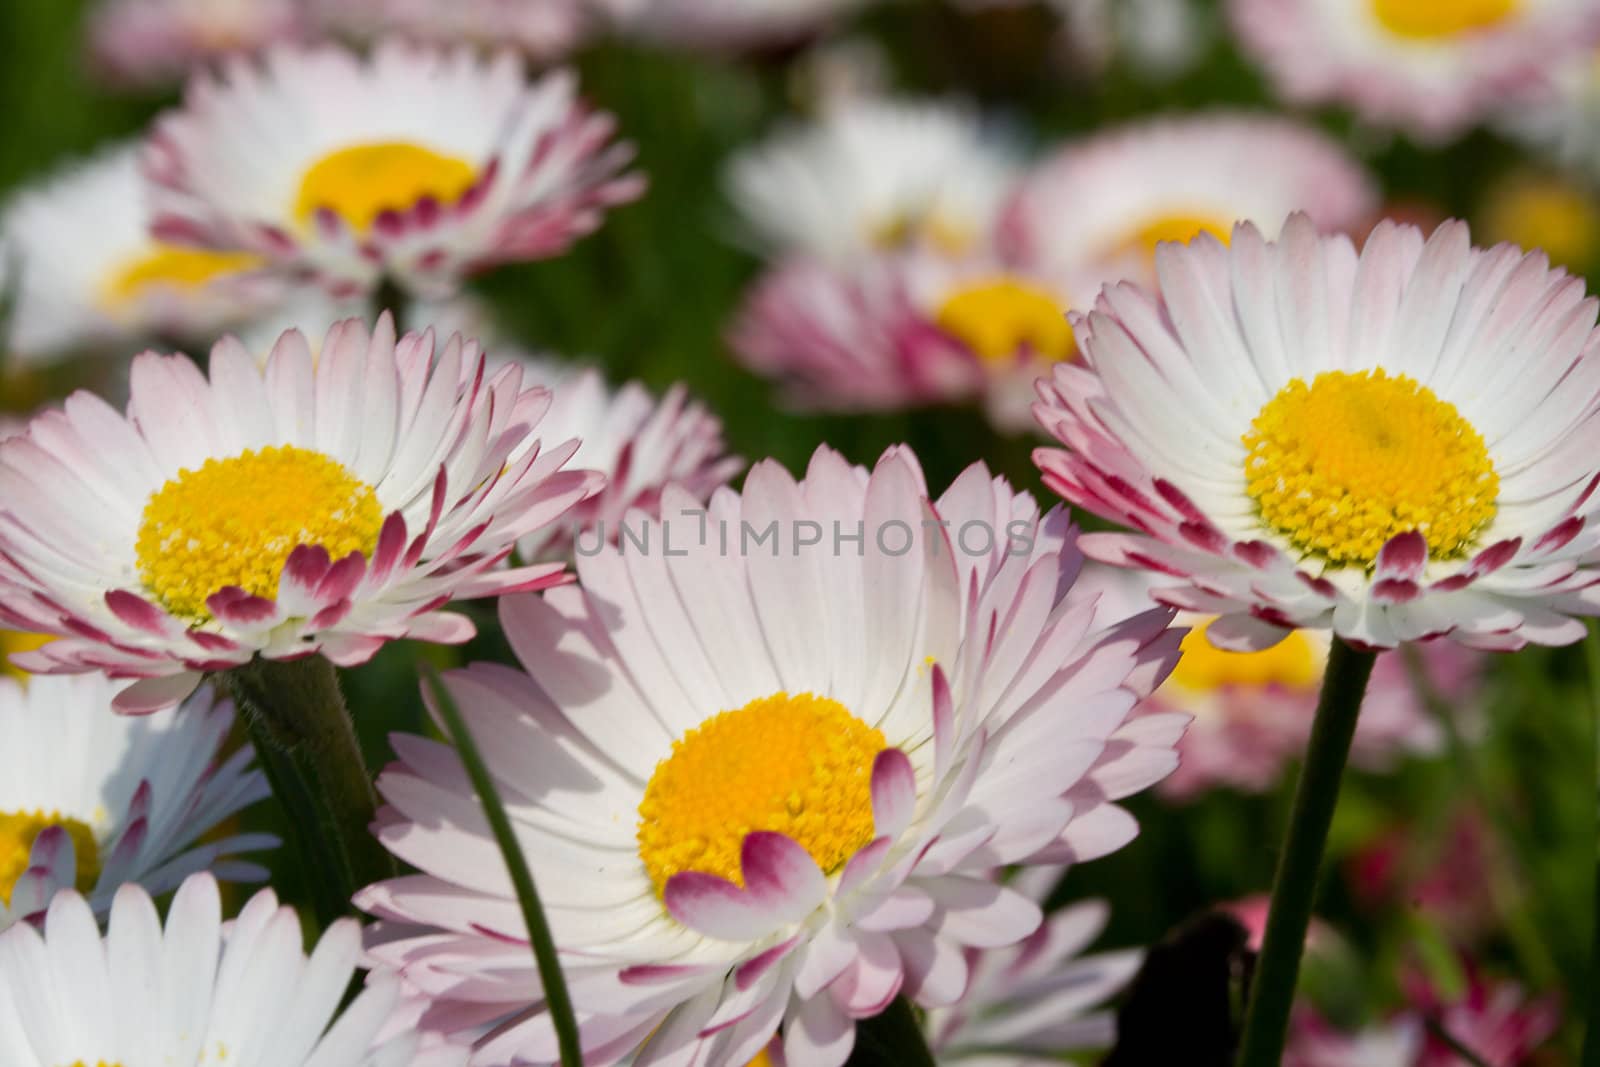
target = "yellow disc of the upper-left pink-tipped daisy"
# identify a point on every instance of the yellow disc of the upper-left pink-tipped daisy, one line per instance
(367, 180)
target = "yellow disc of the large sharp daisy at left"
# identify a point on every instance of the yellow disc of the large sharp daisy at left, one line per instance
(234, 522)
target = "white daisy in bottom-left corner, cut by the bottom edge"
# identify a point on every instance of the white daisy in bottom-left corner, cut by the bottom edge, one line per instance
(194, 993)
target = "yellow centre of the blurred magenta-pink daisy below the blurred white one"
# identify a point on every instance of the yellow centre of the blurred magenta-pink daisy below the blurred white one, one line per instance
(1002, 319)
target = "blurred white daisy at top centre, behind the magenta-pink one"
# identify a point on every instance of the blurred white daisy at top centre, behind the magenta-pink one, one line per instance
(874, 175)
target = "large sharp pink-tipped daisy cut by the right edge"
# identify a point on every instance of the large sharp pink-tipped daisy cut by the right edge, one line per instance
(1394, 444)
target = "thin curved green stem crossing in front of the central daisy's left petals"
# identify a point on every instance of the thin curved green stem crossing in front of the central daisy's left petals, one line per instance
(545, 954)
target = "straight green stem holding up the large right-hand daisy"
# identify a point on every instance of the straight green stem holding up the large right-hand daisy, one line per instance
(1295, 887)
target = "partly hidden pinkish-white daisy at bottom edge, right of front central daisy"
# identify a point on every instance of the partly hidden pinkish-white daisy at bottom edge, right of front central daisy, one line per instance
(1026, 1005)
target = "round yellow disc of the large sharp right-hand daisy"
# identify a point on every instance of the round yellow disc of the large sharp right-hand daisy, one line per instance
(1353, 460)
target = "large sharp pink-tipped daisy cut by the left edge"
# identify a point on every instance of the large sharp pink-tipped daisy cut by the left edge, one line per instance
(281, 510)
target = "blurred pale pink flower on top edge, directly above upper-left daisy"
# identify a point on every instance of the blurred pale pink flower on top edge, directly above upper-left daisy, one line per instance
(540, 30)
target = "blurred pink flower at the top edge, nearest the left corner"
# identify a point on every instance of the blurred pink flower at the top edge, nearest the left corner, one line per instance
(156, 42)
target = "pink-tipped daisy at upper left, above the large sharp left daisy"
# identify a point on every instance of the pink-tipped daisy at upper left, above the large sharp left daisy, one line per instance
(436, 164)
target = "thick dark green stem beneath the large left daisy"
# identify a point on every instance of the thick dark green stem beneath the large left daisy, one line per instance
(303, 730)
